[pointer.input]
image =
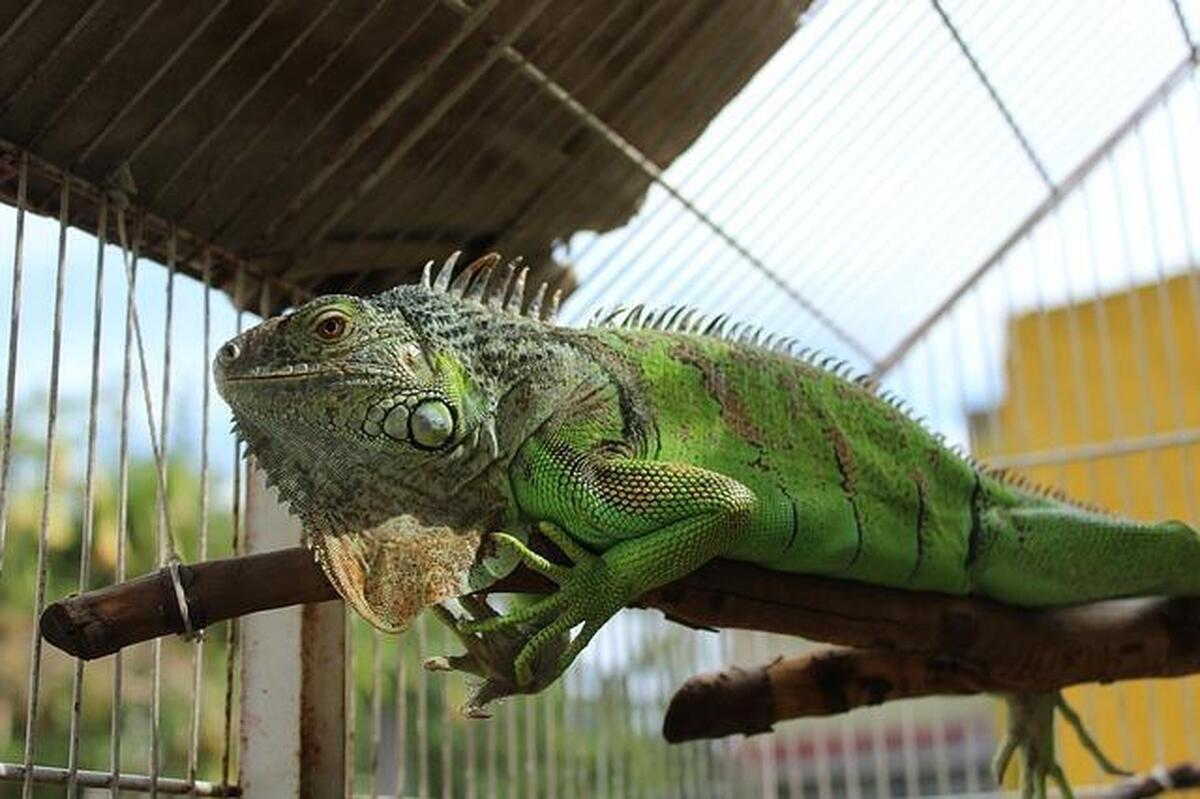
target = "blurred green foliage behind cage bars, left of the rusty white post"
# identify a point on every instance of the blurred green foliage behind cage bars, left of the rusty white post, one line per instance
(64, 539)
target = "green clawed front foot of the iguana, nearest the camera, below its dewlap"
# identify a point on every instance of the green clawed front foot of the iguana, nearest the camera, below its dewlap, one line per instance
(590, 593)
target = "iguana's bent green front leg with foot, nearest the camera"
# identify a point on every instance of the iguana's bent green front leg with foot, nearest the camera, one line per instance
(628, 526)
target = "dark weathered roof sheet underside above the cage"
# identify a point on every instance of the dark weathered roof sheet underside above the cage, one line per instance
(338, 145)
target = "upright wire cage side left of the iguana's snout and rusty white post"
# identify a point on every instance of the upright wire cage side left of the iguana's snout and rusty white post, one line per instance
(91, 489)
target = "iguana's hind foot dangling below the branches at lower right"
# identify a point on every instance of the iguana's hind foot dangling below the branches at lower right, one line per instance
(1031, 735)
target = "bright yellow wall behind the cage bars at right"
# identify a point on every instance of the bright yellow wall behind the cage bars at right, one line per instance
(1125, 367)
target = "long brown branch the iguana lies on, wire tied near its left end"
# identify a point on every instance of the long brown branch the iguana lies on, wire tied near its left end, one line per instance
(999, 648)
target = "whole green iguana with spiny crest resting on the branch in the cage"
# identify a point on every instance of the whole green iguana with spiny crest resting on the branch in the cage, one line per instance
(419, 435)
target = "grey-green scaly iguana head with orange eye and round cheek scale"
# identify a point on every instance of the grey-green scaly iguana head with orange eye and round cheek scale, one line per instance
(361, 410)
